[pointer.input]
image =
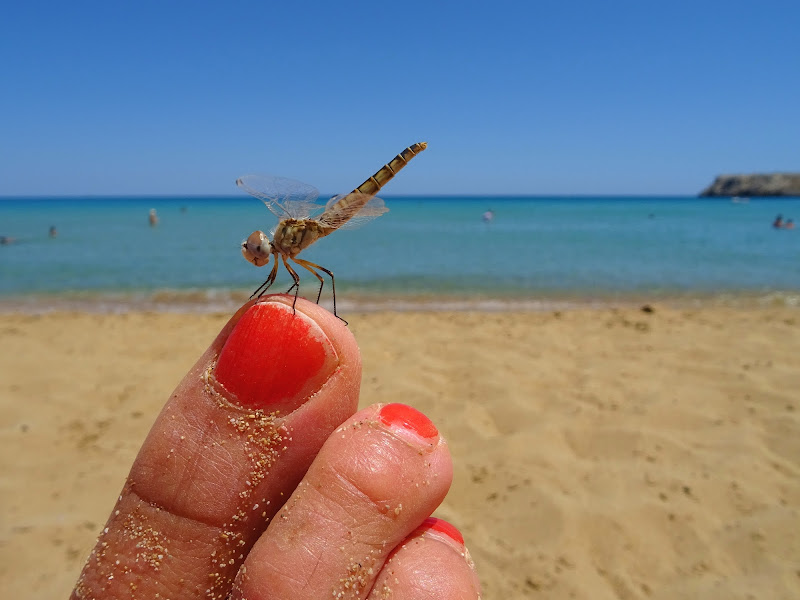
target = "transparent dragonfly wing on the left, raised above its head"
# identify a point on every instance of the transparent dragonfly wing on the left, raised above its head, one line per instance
(283, 197)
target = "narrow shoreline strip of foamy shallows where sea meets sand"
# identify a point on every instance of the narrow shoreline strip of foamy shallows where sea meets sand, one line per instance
(212, 301)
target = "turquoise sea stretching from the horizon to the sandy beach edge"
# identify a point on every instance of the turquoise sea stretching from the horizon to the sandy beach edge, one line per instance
(435, 252)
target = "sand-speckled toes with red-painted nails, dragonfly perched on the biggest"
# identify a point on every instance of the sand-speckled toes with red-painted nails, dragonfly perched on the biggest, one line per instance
(259, 479)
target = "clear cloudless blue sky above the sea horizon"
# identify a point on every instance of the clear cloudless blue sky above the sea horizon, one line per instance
(526, 97)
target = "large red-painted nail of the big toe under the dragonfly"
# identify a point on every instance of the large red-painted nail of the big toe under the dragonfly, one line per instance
(275, 358)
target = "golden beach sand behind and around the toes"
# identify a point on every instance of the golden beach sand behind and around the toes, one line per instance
(599, 453)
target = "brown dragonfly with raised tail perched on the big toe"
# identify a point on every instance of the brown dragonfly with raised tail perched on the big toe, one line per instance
(295, 203)
